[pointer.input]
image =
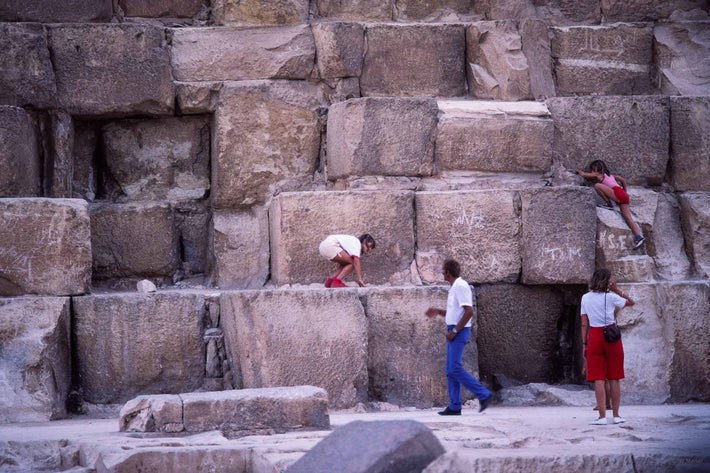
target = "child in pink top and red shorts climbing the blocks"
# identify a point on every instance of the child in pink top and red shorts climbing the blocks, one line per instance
(607, 186)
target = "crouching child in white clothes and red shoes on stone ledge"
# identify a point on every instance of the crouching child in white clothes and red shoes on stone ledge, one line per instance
(345, 250)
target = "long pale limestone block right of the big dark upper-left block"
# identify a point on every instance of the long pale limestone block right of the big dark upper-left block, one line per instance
(286, 52)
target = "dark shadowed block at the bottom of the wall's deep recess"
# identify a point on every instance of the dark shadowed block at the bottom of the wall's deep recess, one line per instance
(133, 240)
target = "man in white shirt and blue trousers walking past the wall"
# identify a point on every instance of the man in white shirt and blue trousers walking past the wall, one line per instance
(458, 314)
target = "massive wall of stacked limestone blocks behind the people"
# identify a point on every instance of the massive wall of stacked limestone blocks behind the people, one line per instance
(210, 146)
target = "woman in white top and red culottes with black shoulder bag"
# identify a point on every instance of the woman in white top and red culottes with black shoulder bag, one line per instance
(603, 360)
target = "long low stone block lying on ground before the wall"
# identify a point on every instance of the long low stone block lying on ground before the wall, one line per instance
(236, 413)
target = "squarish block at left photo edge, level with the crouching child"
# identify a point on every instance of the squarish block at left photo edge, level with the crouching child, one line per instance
(46, 247)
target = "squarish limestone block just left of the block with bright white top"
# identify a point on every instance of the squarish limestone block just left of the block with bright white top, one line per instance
(381, 136)
